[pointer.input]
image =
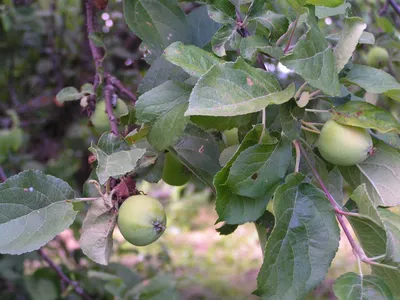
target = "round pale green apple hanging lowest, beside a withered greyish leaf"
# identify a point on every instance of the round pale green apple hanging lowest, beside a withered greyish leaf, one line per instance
(141, 220)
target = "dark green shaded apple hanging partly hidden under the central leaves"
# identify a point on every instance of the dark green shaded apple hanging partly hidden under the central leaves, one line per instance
(174, 172)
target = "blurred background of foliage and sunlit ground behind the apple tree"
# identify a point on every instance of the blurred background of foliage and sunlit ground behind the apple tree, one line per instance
(43, 48)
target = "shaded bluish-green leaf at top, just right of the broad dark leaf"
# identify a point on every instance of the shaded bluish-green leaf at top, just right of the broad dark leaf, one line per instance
(202, 27)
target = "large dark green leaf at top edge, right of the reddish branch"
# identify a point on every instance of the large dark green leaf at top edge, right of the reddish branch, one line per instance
(157, 23)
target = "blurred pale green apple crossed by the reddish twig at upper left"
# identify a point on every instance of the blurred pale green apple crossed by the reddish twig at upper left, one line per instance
(100, 118)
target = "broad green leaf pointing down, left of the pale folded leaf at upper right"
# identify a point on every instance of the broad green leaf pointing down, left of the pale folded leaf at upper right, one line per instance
(313, 59)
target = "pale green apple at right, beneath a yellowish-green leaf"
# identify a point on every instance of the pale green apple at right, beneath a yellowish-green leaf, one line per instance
(344, 145)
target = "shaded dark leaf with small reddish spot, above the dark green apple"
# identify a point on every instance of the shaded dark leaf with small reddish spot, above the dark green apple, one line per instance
(199, 152)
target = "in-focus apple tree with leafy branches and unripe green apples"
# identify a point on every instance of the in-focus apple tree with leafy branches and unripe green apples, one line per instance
(286, 110)
